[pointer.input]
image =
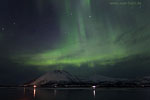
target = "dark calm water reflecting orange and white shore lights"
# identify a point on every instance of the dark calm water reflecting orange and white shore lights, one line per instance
(75, 94)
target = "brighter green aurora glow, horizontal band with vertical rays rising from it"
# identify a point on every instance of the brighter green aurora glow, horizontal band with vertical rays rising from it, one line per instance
(89, 37)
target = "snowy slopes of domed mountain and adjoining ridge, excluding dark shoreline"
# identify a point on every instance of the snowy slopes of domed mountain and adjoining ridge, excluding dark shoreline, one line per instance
(60, 76)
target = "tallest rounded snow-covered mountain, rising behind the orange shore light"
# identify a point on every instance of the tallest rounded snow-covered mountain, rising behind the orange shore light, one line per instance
(56, 76)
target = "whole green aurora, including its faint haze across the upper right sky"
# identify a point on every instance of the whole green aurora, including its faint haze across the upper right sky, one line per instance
(93, 32)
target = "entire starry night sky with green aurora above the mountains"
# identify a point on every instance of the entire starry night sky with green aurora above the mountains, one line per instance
(84, 37)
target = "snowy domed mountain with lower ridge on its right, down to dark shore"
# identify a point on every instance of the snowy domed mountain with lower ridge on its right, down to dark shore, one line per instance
(63, 78)
